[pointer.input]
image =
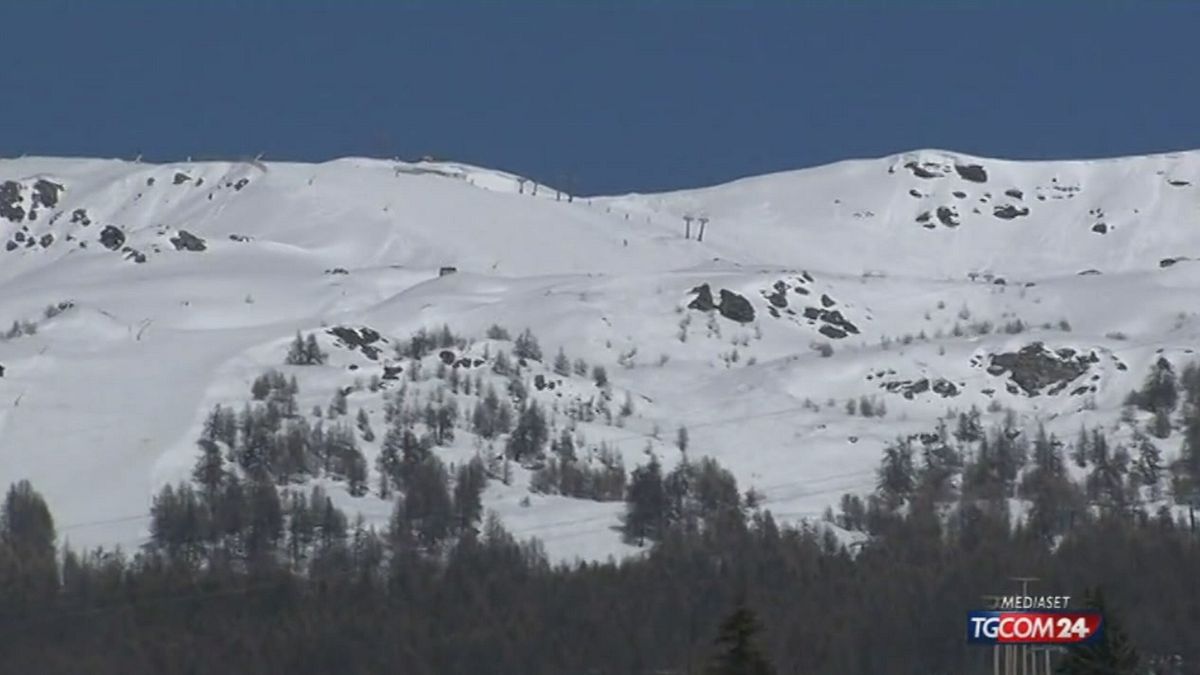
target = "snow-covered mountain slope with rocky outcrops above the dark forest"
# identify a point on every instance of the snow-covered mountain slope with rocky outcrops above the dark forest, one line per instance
(146, 295)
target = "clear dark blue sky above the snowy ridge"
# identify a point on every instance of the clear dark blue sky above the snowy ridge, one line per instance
(637, 98)
